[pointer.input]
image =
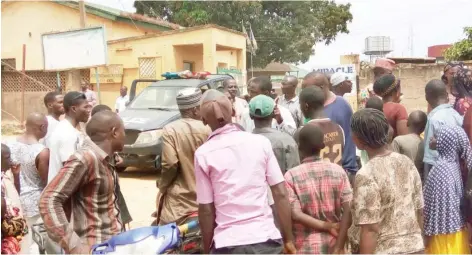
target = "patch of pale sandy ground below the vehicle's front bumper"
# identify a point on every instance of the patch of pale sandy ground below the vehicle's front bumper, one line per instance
(138, 188)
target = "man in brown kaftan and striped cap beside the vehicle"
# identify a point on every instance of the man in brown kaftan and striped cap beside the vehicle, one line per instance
(180, 139)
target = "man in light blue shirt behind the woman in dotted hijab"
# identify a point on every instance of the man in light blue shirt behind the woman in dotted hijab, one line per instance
(442, 113)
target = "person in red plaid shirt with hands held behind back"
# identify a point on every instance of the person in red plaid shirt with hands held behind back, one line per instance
(320, 197)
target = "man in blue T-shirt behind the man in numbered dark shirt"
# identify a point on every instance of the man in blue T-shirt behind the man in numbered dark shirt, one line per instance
(338, 110)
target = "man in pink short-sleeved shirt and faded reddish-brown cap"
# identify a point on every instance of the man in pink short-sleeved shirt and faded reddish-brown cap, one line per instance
(232, 170)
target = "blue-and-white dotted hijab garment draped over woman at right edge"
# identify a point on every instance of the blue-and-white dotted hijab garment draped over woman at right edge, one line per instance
(444, 189)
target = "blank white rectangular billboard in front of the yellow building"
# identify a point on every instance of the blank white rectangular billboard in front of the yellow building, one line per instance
(76, 49)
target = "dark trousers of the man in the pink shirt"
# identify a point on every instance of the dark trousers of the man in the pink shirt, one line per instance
(268, 247)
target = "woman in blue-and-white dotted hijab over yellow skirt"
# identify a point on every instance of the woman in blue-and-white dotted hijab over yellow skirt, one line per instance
(444, 225)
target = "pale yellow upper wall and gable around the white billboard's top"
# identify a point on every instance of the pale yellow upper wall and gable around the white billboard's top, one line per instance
(23, 22)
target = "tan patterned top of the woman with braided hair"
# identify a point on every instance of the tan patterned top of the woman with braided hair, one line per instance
(388, 192)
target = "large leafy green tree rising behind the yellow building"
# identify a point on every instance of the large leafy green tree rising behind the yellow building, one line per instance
(285, 31)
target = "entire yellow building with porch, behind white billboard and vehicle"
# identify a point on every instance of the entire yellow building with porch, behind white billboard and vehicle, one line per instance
(138, 47)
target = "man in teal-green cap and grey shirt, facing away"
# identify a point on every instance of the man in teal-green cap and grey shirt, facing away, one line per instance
(261, 110)
